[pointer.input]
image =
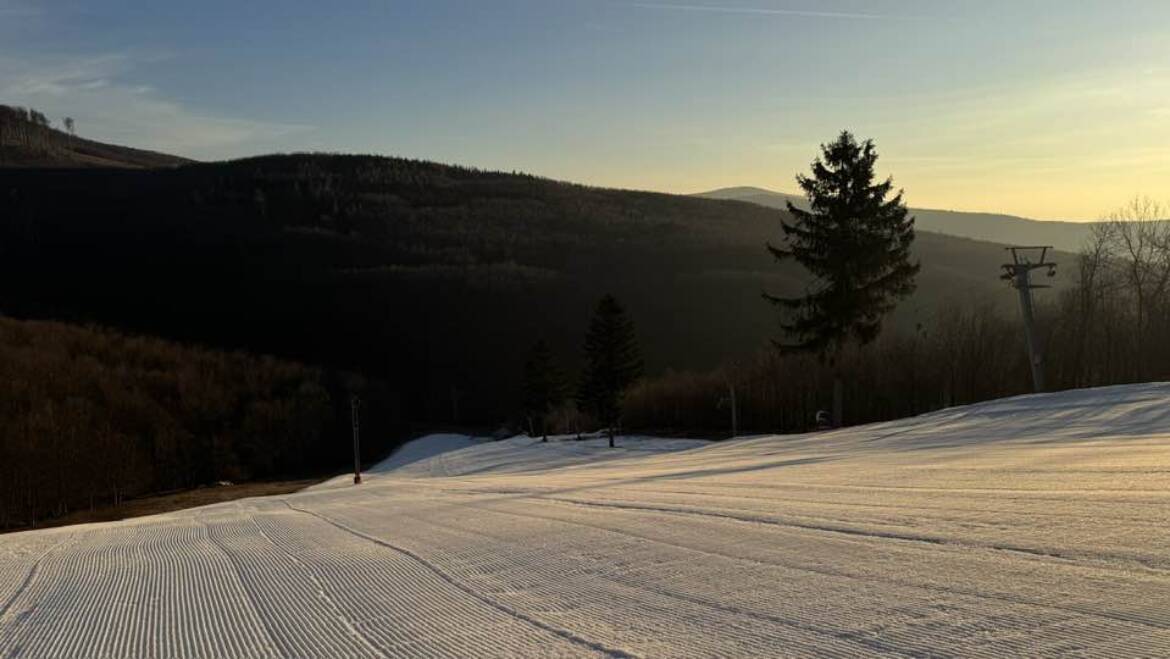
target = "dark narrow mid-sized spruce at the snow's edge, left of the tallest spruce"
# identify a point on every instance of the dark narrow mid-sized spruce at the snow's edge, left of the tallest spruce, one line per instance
(612, 362)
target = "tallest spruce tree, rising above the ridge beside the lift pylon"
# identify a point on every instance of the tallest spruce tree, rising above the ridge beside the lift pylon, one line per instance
(857, 245)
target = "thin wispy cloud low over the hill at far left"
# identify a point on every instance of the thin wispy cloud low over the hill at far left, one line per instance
(100, 93)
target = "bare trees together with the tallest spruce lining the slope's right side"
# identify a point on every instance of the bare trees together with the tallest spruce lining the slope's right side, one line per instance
(1112, 326)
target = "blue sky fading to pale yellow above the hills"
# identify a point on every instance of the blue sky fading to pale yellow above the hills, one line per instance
(1050, 109)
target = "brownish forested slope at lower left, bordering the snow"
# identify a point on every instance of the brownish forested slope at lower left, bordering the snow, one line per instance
(91, 417)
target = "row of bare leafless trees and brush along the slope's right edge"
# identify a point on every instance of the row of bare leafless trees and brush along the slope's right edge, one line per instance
(1111, 327)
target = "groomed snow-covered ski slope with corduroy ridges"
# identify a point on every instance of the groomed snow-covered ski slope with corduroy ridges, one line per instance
(1035, 526)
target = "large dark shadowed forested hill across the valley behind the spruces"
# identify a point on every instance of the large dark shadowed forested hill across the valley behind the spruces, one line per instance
(436, 278)
